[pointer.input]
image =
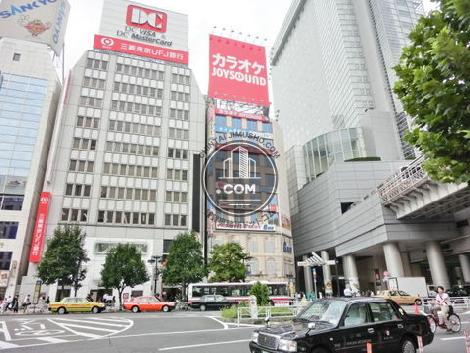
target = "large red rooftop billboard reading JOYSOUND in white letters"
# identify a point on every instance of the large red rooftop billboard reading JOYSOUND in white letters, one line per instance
(237, 71)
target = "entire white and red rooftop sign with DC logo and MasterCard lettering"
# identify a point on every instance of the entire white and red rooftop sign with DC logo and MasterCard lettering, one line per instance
(160, 34)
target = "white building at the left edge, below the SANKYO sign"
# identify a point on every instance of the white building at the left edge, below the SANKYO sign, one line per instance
(29, 92)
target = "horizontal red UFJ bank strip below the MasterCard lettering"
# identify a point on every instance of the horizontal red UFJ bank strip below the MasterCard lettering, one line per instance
(139, 49)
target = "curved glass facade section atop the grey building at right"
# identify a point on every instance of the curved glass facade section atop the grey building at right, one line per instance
(340, 145)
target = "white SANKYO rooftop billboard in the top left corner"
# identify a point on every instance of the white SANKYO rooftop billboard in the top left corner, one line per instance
(43, 21)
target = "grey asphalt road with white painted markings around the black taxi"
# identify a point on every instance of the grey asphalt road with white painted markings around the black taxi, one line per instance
(178, 332)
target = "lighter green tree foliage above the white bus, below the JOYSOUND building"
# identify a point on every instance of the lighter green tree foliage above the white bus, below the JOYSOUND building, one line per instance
(227, 263)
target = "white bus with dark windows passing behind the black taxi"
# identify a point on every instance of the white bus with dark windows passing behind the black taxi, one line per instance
(238, 292)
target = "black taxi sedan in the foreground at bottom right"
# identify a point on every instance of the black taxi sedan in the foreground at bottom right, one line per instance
(349, 325)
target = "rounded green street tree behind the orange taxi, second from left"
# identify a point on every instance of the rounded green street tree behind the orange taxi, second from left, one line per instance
(123, 268)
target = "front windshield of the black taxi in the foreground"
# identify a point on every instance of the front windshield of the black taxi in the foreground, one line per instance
(324, 310)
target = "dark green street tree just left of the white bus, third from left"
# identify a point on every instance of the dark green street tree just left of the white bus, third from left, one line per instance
(185, 263)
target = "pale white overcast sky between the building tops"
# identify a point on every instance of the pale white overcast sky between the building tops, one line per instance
(253, 18)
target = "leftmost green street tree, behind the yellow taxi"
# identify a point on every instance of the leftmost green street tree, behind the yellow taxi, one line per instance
(64, 258)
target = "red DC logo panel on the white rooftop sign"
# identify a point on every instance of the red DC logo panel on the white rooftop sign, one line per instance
(152, 20)
